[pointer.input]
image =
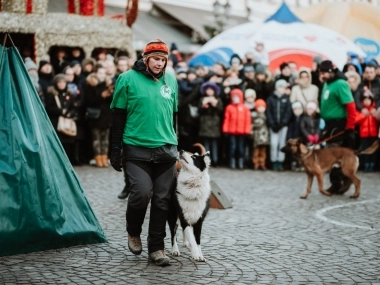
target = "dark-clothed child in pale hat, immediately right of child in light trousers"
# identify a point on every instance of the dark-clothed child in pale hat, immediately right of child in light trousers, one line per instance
(294, 130)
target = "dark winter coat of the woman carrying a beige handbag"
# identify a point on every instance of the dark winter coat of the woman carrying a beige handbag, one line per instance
(67, 100)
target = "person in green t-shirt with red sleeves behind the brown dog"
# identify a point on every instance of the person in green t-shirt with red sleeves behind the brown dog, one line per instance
(339, 112)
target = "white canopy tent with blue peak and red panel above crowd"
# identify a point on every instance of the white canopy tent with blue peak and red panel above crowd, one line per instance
(286, 38)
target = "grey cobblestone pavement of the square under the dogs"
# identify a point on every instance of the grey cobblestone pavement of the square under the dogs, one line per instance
(270, 236)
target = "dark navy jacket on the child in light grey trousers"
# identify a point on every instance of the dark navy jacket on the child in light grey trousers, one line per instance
(279, 111)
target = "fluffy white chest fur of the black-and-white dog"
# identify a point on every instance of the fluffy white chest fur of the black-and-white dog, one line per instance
(193, 193)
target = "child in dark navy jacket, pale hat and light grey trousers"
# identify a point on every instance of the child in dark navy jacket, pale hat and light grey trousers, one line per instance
(279, 112)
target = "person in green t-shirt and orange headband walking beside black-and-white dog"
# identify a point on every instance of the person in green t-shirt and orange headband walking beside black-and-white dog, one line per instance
(144, 107)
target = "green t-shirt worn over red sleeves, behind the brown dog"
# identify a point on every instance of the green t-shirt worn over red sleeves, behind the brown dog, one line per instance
(335, 96)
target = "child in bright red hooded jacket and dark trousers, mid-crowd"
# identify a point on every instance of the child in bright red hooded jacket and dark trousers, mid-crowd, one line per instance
(237, 124)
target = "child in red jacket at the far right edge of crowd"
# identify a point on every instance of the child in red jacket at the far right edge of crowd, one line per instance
(368, 129)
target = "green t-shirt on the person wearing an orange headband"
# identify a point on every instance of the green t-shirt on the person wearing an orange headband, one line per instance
(150, 106)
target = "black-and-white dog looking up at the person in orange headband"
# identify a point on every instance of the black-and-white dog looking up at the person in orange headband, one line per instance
(190, 202)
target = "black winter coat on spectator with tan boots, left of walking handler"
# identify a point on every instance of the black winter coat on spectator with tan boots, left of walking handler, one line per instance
(93, 99)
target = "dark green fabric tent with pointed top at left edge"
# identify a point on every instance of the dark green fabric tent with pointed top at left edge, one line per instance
(42, 204)
